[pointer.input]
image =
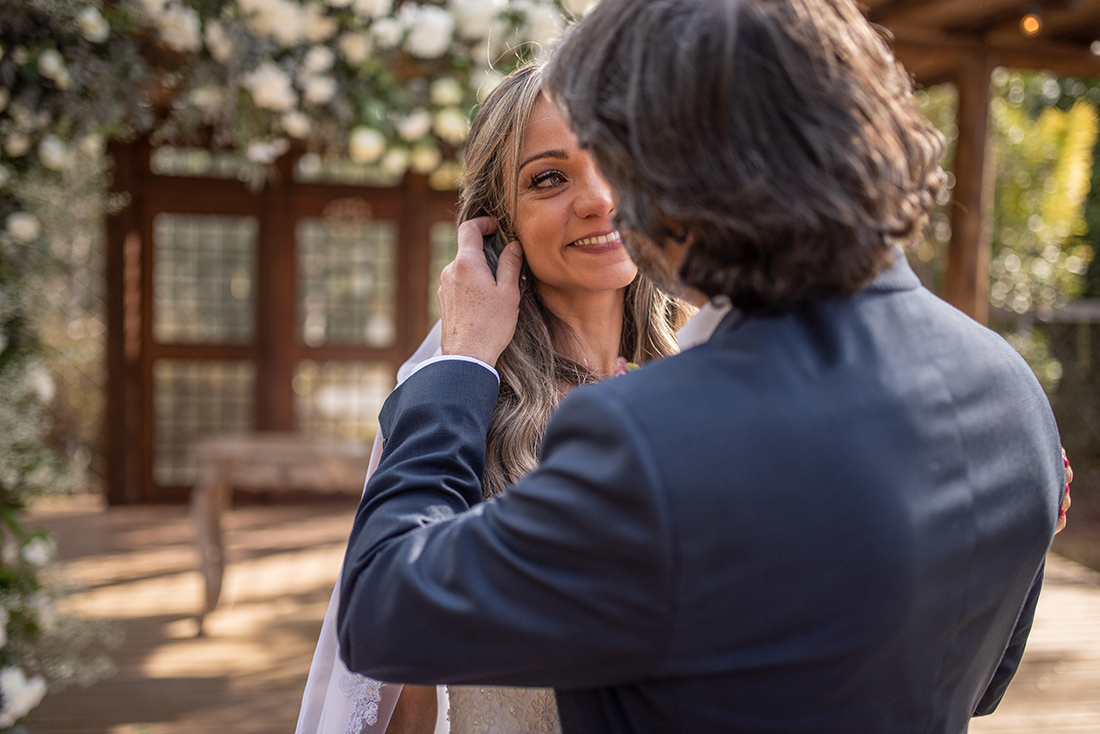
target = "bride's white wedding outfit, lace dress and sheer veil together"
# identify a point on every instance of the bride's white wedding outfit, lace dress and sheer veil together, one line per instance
(337, 702)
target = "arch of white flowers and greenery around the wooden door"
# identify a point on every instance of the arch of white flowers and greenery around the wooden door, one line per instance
(387, 84)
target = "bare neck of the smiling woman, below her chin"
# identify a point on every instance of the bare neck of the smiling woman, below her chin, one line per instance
(596, 327)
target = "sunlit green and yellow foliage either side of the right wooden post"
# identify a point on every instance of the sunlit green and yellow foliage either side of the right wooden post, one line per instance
(1047, 203)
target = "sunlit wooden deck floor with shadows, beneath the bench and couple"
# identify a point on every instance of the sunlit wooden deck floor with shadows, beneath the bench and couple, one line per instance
(246, 676)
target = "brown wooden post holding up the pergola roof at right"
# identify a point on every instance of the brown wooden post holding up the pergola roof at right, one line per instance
(966, 281)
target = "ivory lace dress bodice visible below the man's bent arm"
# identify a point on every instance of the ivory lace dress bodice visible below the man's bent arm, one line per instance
(477, 710)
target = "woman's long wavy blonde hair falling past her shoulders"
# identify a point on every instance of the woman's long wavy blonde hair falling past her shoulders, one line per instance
(535, 374)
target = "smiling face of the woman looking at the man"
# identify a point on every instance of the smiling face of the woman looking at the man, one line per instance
(564, 213)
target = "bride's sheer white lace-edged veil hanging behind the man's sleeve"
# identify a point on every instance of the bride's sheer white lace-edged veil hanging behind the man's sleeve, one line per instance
(337, 702)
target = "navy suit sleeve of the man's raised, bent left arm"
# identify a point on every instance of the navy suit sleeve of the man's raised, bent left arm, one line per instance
(570, 565)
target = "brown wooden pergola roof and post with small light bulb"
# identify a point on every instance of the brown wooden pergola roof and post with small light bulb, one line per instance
(962, 42)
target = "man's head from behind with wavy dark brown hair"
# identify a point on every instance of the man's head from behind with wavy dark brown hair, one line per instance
(780, 136)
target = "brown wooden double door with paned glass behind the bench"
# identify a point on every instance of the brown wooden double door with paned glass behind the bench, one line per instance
(236, 308)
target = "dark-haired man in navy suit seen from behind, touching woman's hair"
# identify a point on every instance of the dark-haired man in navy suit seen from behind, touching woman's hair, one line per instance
(832, 517)
